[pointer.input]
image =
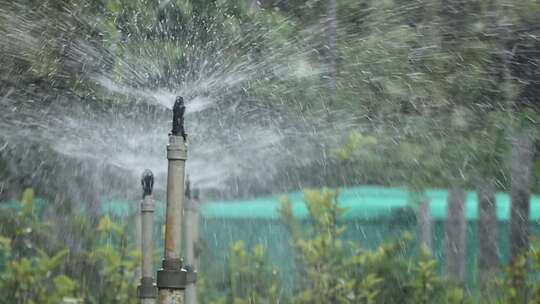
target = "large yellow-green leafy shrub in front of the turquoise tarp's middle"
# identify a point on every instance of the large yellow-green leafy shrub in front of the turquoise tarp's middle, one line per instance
(337, 272)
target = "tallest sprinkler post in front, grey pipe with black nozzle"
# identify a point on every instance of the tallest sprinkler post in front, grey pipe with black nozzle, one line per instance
(173, 278)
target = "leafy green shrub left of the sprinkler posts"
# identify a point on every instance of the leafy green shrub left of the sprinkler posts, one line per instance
(33, 270)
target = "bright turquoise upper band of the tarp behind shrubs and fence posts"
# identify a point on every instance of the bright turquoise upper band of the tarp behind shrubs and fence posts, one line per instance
(361, 203)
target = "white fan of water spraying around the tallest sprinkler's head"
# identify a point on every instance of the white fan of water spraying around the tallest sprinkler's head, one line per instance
(233, 134)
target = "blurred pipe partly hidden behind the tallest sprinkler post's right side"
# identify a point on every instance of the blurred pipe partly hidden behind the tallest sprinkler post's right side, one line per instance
(191, 212)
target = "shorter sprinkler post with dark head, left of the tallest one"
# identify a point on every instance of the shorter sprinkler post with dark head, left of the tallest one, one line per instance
(147, 290)
